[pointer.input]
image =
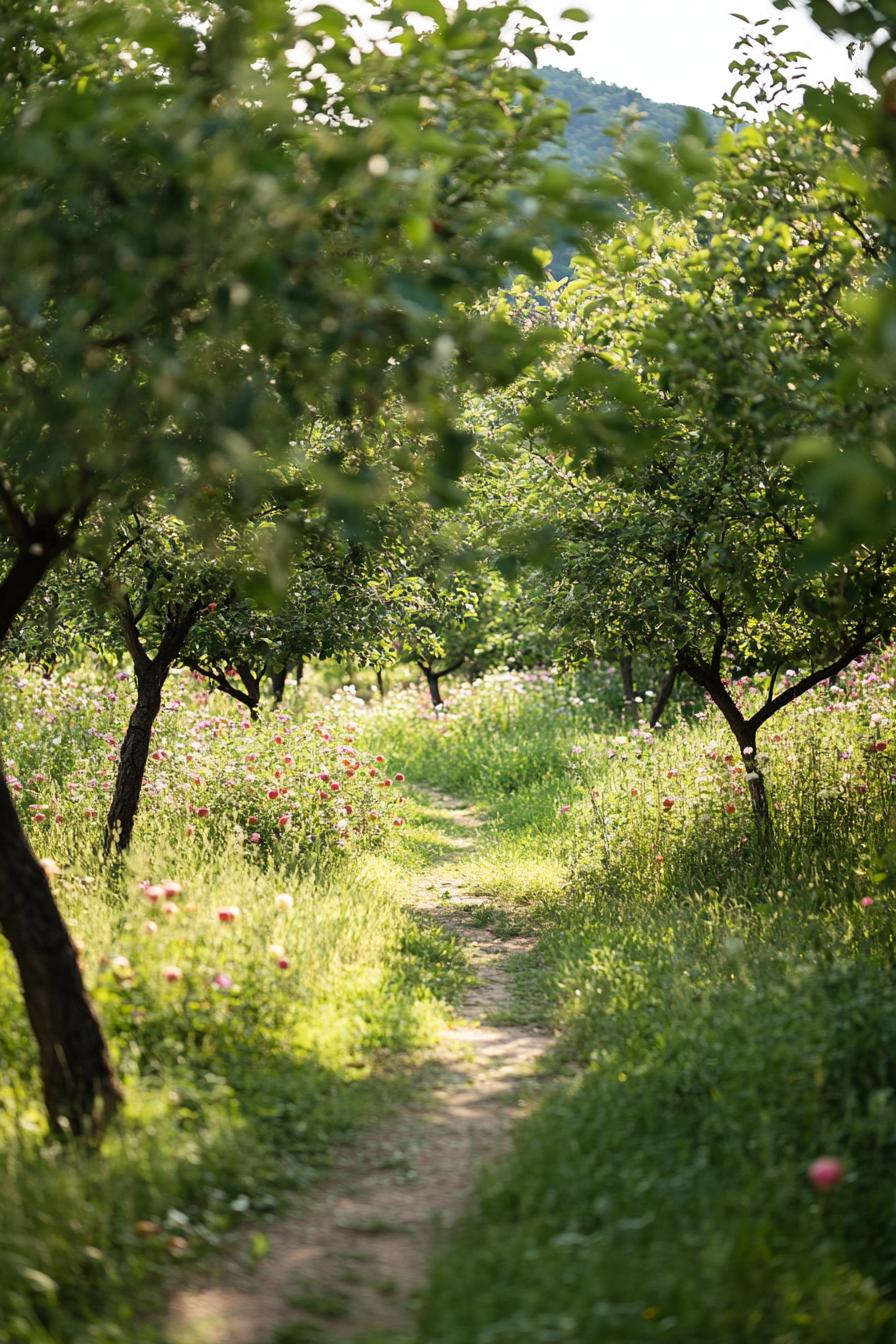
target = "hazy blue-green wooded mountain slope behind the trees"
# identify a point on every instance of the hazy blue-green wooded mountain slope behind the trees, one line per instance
(586, 142)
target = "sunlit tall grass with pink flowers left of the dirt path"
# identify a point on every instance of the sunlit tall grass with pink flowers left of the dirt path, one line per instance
(248, 1046)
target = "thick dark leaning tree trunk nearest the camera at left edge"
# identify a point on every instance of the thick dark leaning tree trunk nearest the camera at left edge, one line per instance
(80, 1088)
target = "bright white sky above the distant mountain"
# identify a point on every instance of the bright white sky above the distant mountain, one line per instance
(679, 50)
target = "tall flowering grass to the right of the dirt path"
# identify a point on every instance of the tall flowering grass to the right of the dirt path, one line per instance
(730, 1013)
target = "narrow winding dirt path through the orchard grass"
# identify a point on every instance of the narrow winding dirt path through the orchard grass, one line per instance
(349, 1259)
